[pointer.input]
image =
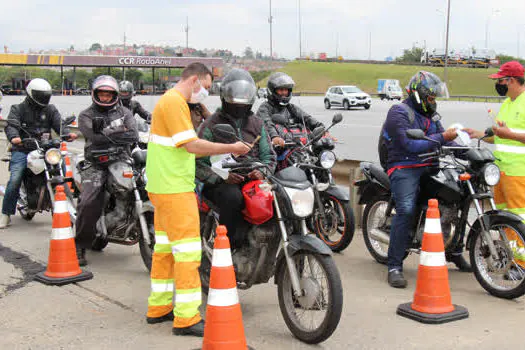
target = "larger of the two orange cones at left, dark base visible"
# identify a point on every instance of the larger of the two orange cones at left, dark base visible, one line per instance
(62, 266)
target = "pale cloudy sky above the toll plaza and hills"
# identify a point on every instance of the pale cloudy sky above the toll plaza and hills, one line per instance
(354, 29)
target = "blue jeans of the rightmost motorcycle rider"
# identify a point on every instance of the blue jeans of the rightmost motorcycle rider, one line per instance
(405, 189)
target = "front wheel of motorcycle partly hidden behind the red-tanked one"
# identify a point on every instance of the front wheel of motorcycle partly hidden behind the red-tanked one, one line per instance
(337, 228)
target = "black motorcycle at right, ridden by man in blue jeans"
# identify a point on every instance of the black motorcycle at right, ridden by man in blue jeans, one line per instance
(457, 184)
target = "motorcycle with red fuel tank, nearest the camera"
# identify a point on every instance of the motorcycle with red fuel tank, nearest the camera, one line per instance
(278, 244)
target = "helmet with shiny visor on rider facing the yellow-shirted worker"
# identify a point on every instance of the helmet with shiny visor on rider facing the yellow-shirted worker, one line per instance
(238, 93)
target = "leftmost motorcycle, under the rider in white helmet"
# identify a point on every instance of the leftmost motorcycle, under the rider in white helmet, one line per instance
(45, 170)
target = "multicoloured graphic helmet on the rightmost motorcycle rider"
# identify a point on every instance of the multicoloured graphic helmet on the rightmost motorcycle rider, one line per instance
(422, 86)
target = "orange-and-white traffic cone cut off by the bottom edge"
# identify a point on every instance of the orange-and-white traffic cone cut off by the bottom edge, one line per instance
(223, 328)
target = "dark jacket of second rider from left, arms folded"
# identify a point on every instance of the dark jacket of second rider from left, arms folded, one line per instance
(119, 126)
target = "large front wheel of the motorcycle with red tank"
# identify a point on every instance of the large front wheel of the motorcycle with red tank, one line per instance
(314, 316)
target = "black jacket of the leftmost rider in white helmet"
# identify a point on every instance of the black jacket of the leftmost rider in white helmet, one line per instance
(35, 120)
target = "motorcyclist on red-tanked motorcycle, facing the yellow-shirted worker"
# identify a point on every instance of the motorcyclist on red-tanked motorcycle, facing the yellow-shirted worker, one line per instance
(237, 97)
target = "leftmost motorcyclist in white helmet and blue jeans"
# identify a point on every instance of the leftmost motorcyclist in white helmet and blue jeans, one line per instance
(37, 117)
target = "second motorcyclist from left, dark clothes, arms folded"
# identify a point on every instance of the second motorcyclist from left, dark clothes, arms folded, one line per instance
(118, 127)
